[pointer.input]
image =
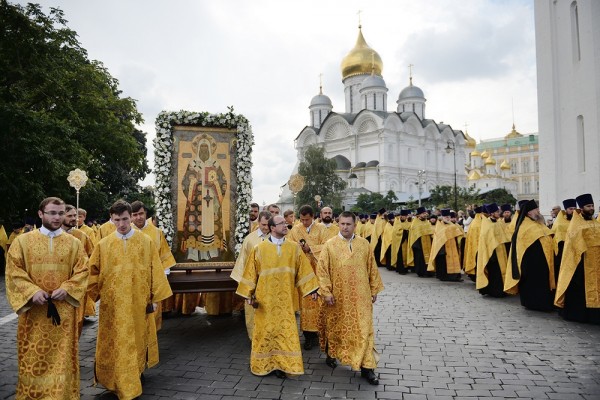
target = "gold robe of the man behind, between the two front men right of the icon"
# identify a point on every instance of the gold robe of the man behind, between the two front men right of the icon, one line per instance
(309, 309)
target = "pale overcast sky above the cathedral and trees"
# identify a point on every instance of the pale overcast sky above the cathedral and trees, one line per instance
(473, 59)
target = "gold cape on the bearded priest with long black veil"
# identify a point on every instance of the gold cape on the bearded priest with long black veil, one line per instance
(529, 232)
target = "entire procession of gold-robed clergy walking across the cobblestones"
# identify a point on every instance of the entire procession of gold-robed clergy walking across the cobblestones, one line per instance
(324, 268)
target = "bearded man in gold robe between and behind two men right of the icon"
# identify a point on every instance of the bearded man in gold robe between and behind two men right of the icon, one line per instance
(313, 235)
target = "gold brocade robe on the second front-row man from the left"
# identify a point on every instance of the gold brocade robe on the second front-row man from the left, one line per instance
(126, 275)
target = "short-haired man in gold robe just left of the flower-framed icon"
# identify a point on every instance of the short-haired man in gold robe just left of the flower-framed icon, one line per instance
(139, 217)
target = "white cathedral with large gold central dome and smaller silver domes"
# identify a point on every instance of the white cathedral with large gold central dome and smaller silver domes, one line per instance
(377, 150)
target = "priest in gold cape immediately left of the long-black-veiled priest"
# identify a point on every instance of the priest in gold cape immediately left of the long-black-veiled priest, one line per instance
(492, 254)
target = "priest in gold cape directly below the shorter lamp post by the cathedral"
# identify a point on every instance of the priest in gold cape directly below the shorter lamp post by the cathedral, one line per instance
(419, 243)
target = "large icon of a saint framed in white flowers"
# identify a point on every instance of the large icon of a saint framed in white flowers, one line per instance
(203, 185)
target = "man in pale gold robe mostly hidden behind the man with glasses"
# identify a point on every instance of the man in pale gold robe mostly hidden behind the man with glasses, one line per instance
(237, 273)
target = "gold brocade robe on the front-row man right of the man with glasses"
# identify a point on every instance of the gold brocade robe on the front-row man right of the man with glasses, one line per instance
(352, 277)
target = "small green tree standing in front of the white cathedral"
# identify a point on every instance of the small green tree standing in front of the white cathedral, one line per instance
(319, 179)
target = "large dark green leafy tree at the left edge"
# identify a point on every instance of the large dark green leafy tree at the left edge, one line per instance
(60, 110)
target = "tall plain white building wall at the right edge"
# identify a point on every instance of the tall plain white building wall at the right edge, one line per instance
(568, 73)
